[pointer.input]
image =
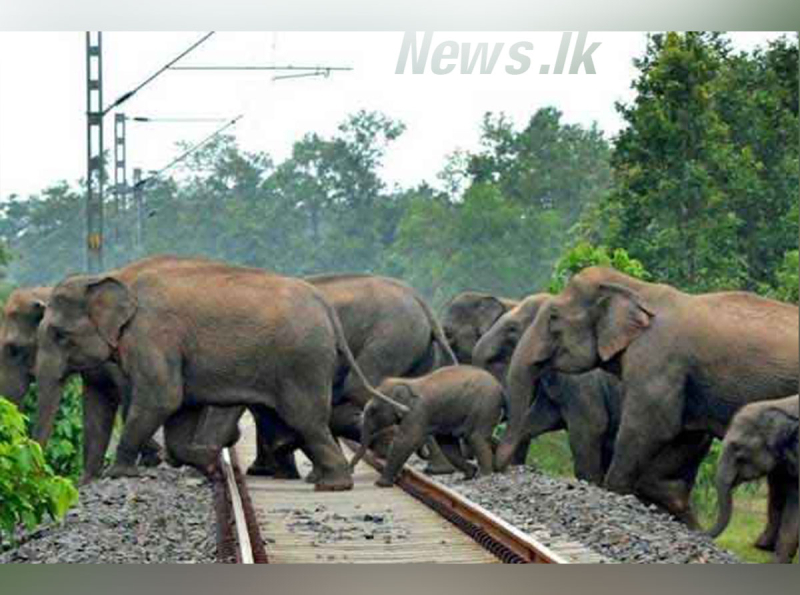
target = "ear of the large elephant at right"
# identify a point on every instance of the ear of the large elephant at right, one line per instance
(623, 318)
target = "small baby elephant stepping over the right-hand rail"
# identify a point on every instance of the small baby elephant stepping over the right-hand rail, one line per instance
(452, 404)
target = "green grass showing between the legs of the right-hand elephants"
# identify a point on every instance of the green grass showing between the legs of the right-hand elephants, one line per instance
(550, 453)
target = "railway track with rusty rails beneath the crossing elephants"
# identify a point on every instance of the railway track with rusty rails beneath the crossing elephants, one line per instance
(264, 520)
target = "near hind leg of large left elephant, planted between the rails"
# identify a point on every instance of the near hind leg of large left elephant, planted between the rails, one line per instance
(310, 418)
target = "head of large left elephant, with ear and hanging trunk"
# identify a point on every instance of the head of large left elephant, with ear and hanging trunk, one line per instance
(81, 330)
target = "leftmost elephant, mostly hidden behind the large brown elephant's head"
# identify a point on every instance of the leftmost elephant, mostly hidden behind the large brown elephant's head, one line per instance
(22, 313)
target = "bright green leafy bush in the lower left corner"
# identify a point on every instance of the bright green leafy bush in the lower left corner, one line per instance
(29, 489)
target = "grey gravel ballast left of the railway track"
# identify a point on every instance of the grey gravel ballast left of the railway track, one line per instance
(164, 516)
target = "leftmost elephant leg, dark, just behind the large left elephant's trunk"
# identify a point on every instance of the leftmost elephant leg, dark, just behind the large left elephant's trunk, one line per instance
(99, 411)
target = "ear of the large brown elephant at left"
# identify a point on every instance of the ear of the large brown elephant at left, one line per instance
(110, 305)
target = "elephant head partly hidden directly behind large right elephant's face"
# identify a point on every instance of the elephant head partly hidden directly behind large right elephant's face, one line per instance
(494, 349)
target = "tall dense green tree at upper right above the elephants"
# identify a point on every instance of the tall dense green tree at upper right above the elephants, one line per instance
(706, 172)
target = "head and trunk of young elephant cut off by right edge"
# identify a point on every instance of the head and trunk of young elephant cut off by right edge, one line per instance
(760, 438)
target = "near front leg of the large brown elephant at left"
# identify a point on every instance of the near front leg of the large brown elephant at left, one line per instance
(157, 393)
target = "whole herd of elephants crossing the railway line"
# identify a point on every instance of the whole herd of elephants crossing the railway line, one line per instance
(641, 375)
